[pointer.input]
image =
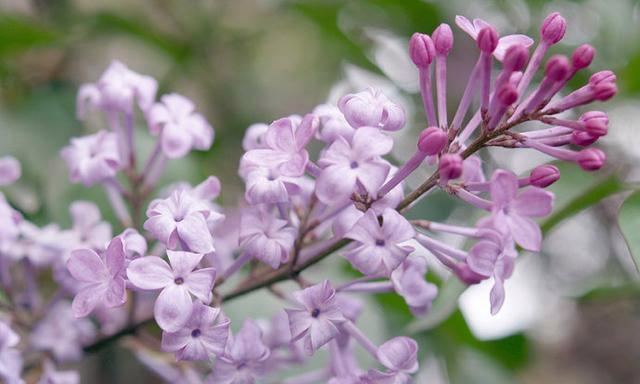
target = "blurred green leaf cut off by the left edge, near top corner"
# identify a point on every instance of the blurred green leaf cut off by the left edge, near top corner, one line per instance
(21, 33)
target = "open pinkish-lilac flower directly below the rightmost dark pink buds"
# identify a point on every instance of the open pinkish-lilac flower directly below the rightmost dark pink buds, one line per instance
(515, 210)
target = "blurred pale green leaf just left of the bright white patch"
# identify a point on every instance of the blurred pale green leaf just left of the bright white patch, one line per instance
(444, 306)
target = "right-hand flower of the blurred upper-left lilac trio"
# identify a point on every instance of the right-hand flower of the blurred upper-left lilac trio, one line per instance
(179, 127)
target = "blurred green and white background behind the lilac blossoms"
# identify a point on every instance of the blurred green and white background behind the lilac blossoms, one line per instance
(572, 313)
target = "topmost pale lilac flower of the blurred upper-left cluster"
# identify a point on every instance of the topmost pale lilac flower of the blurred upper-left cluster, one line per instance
(117, 90)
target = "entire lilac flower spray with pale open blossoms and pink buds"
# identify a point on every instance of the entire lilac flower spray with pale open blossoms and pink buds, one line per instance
(173, 265)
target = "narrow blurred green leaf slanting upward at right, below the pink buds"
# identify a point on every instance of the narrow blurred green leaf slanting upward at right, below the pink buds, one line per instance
(591, 196)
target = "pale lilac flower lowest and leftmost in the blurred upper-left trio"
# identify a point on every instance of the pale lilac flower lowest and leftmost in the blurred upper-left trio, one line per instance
(92, 159)
